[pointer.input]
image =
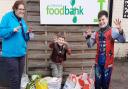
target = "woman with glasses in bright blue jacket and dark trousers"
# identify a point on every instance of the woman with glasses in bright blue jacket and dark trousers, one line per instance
(15, 34)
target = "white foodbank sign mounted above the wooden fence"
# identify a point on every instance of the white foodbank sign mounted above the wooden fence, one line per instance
(70, 12)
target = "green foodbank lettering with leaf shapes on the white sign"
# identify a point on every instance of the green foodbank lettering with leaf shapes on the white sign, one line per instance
(64, 10)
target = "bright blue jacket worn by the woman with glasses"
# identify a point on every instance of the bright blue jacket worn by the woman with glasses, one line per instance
(13, 43)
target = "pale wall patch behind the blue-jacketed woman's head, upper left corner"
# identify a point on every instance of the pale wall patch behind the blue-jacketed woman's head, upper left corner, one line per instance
(5, 6)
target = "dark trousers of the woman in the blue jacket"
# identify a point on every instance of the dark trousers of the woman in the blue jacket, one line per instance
(15, 67)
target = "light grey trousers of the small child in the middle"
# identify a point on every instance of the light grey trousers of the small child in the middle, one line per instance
(57, 69)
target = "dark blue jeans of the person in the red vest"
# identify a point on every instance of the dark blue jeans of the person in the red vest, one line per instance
(102, 77)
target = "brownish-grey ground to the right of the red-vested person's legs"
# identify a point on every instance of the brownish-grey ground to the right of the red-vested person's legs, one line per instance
(120, 75)
